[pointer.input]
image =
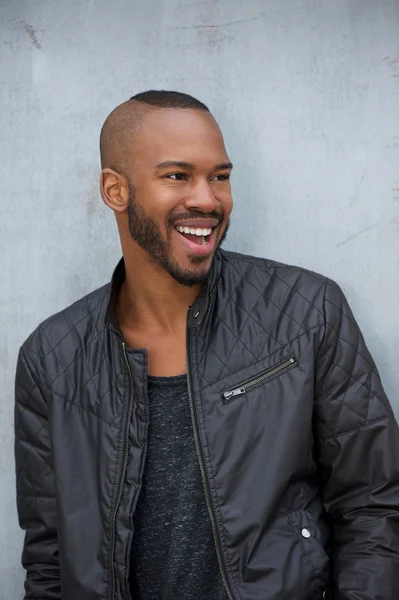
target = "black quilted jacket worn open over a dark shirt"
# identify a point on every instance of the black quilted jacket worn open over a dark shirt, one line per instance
(296, 440)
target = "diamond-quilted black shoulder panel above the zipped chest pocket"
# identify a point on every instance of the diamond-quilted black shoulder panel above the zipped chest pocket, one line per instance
(268, 305)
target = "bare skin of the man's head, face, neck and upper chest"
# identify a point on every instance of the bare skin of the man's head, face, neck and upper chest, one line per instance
(163, 274)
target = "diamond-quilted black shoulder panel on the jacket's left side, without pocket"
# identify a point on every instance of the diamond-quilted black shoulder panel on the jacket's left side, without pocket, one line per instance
(75, 351)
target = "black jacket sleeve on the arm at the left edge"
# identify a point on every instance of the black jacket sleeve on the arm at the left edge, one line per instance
(35, 487)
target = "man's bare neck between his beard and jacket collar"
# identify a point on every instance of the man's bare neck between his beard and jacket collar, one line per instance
(150, 298)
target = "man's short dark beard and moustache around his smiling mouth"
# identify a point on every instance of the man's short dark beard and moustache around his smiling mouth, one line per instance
(147, 234)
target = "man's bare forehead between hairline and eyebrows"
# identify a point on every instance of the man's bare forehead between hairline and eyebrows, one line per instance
(179, 134)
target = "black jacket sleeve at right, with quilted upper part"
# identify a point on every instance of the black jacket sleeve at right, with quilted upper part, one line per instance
(357, 446)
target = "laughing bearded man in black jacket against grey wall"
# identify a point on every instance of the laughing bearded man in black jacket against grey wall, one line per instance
(210, 425)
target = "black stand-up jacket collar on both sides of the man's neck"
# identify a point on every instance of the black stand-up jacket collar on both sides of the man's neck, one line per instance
(197, 310)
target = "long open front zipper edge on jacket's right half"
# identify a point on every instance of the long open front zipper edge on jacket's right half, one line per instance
(203, 475)
